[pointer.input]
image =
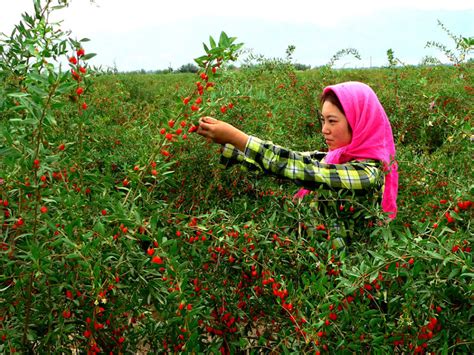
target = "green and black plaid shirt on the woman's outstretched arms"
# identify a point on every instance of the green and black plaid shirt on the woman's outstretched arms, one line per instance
(307, 169)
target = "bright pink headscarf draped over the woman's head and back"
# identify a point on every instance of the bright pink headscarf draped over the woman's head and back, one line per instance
(372, 137)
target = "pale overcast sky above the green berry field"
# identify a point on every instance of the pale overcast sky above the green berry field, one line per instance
(150, 35)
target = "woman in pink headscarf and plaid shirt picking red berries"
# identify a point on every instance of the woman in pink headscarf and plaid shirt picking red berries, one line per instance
(358, 135)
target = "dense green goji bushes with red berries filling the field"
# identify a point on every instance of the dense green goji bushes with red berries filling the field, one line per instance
(121, 233)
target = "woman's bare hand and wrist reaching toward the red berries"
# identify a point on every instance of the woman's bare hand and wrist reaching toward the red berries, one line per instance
(222, 132)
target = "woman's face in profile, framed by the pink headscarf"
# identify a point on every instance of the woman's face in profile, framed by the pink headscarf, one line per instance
(335, 128)
